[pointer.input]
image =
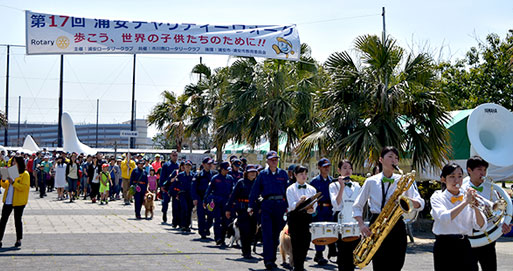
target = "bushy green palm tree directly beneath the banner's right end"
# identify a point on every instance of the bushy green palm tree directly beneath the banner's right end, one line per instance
(270, 99)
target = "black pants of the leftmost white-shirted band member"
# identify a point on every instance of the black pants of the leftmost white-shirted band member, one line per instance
(300, 237)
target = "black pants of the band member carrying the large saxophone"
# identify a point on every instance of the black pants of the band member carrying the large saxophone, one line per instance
(392, 252)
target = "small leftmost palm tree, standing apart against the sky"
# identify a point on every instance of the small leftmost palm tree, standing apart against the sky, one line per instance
(168, 116)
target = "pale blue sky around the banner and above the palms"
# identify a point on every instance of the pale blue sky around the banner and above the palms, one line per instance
(447, 29)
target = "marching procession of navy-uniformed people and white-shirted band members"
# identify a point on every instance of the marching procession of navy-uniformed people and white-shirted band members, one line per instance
(267, 199)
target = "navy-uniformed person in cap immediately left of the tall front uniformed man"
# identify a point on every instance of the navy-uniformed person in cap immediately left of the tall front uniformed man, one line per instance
(239, 201)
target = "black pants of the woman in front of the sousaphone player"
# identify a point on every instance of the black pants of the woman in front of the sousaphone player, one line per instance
(452, 253)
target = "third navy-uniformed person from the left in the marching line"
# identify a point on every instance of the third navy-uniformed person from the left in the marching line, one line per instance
(184, 184)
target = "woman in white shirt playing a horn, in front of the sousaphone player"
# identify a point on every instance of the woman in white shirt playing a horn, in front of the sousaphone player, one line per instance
(455, 217)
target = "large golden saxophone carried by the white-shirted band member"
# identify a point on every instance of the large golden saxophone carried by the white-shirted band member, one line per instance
(391, 213)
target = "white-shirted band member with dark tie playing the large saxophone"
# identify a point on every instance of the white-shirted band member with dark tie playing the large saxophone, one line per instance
(377, 190)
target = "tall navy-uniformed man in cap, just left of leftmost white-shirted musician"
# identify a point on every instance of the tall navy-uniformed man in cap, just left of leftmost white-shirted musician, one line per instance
(271, 184)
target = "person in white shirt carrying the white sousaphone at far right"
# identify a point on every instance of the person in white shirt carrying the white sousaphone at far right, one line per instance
(476, 168)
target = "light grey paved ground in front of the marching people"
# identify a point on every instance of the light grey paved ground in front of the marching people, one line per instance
(82, 236)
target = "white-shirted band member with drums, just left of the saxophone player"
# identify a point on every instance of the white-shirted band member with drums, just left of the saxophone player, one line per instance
(343, 193)
